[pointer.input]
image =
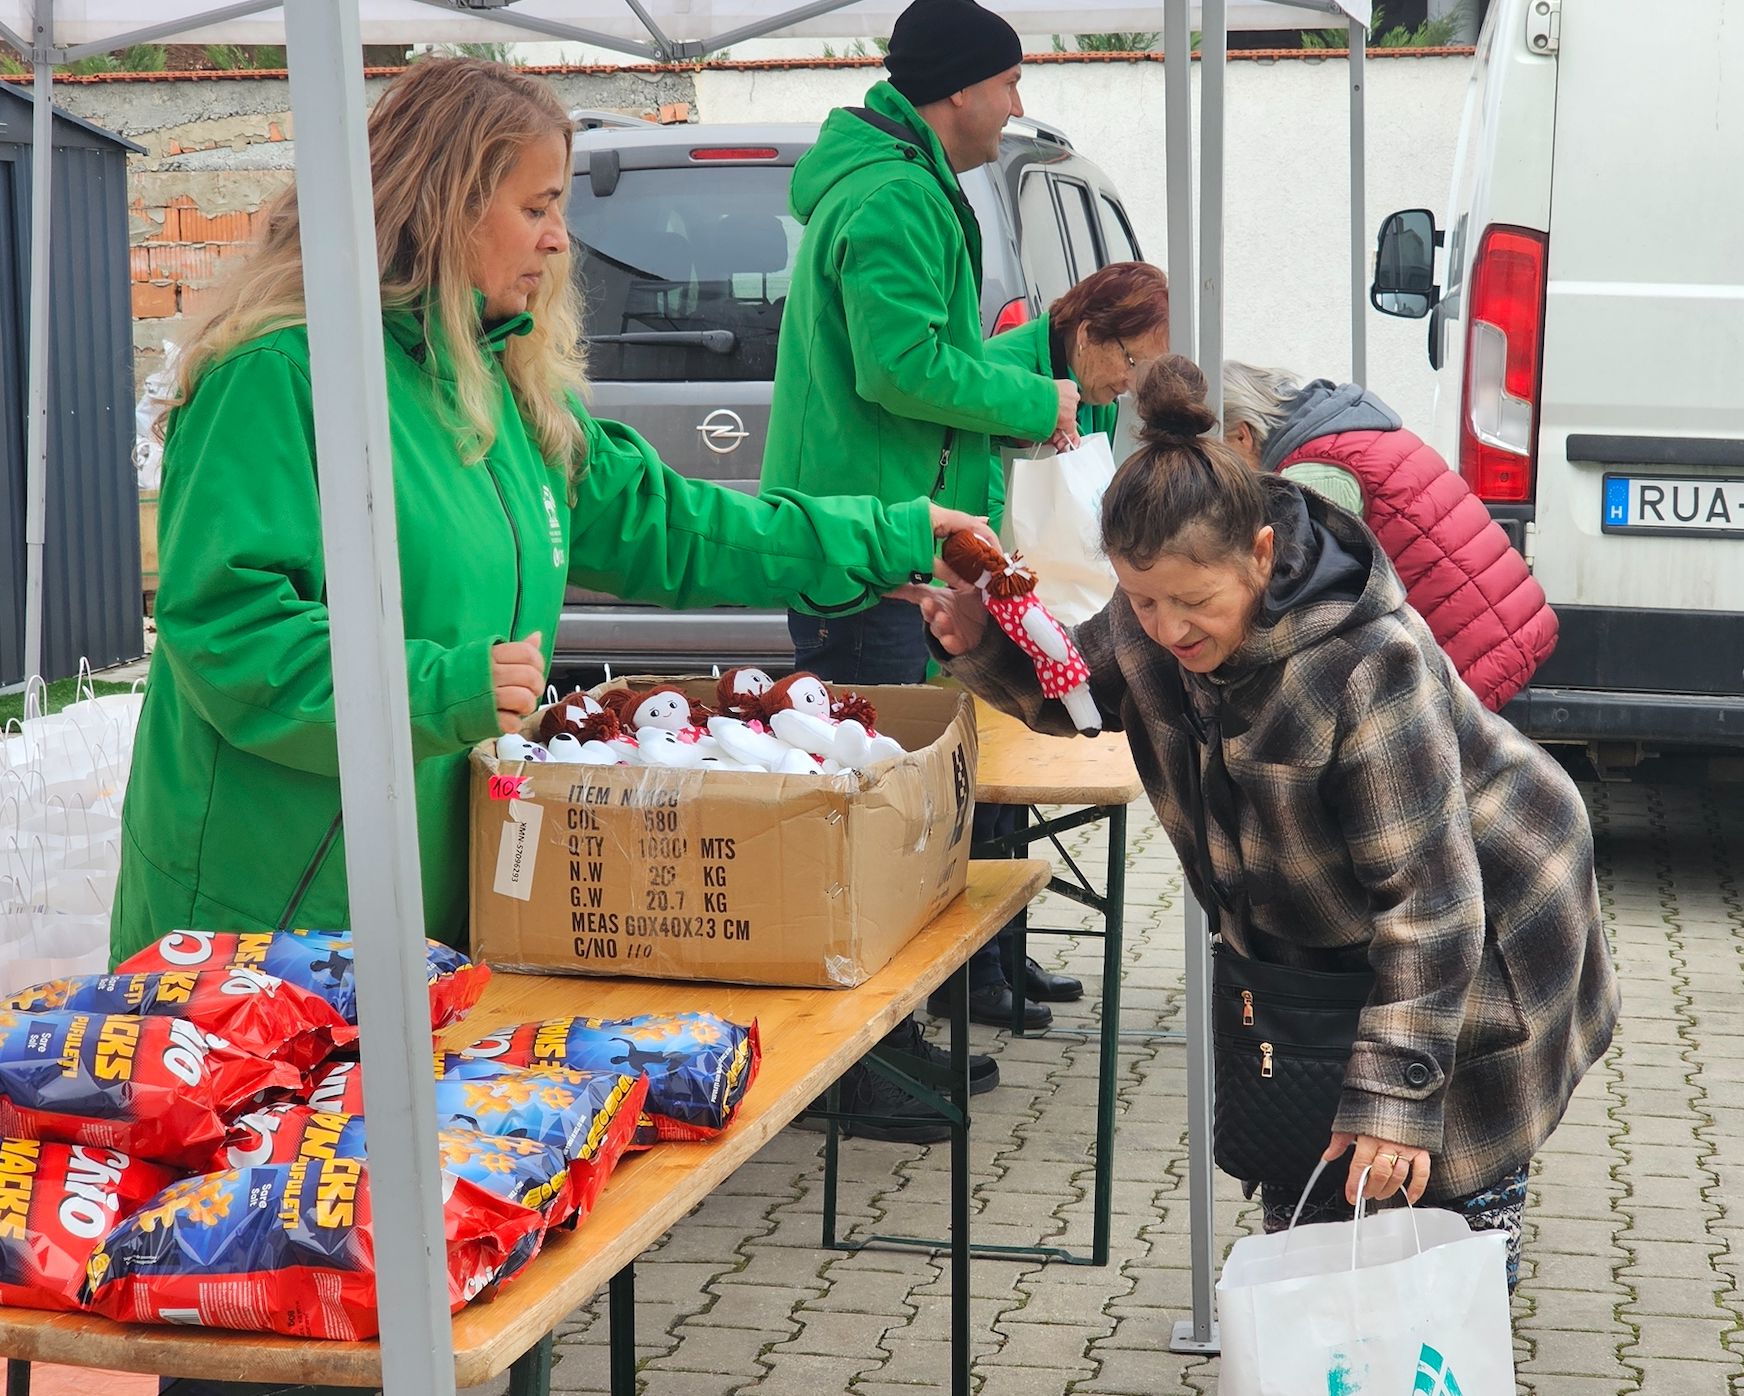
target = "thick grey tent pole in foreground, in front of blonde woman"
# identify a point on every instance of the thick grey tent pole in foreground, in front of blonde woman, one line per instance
(369, 645)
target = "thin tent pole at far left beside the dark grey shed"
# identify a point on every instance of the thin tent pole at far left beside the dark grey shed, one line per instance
(37, 350)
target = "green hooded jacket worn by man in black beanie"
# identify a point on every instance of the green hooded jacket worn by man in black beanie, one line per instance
(882, 339)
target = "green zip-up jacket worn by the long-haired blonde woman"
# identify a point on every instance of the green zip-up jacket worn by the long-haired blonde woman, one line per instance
(235, 790)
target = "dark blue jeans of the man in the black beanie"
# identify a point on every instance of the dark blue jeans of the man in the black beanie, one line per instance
(889, 647)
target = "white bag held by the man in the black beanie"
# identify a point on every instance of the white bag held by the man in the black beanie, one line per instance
(1054, 519)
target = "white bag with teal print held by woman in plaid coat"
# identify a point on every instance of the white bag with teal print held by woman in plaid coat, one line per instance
(1407, 1301)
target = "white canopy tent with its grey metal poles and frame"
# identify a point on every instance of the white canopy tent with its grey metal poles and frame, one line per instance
(372, 709)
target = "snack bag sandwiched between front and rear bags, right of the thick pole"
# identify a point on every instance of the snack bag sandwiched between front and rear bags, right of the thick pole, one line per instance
(587, 1114)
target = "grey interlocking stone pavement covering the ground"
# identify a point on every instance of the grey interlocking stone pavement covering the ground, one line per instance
(1637, 1229)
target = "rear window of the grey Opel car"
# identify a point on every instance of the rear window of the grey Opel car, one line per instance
(676, 257)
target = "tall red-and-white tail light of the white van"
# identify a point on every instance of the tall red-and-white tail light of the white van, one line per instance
(1504, 355)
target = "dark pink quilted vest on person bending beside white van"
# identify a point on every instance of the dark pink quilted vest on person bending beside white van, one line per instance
(1459, 570)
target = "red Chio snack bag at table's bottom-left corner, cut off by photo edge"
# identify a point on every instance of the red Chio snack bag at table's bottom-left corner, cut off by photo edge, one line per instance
(57, 1203)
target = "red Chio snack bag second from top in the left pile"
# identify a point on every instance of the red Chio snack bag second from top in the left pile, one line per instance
(252, 1011)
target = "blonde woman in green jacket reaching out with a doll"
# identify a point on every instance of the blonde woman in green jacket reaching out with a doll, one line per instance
(505, 489)
